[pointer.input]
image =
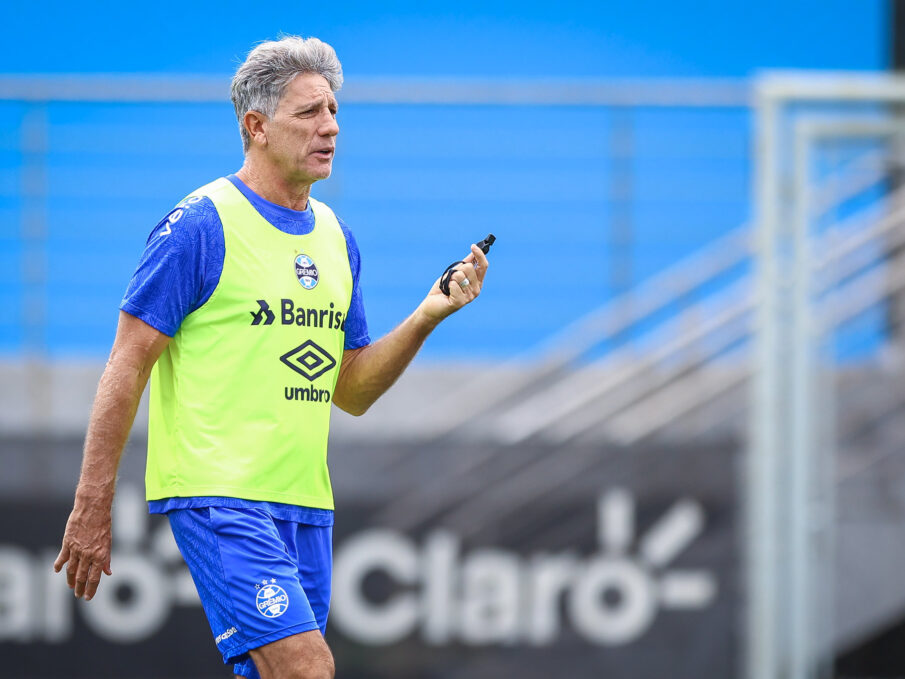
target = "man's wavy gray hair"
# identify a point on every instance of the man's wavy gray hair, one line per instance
(261, 81)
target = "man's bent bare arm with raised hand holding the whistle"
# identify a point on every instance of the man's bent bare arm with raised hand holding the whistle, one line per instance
(366, 373)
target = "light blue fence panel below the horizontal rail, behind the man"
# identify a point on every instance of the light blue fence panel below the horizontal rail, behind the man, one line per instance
(585, 200)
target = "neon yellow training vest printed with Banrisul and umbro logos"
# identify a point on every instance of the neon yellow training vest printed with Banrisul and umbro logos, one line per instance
(240, 398)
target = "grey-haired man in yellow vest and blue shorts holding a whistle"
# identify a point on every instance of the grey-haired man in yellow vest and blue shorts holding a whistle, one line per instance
(246, 312)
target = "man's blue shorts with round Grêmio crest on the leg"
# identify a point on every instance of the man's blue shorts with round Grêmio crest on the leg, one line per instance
(260, 579)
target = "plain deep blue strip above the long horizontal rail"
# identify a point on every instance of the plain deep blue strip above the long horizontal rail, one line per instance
(468, 38)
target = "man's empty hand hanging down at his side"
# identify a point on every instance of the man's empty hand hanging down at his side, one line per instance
(86, 546)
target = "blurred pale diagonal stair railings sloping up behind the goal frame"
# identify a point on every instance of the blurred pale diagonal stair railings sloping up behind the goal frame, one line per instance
(504, 395)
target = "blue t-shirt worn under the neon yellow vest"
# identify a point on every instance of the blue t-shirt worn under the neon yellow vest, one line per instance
(177, 273)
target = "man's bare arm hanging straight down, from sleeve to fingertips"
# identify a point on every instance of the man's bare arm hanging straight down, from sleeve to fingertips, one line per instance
(88, 536)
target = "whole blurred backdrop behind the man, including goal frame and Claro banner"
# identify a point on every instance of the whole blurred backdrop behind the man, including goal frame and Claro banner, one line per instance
(666, 442)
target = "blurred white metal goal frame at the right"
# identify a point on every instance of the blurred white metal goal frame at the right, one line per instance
(790, 488)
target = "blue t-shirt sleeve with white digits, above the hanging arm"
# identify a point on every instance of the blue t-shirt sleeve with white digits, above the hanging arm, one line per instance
(179, 268)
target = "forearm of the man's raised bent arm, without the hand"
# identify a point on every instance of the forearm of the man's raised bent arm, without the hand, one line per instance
(368, 372)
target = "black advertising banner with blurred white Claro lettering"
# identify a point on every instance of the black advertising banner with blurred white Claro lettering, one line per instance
(630, 572)
